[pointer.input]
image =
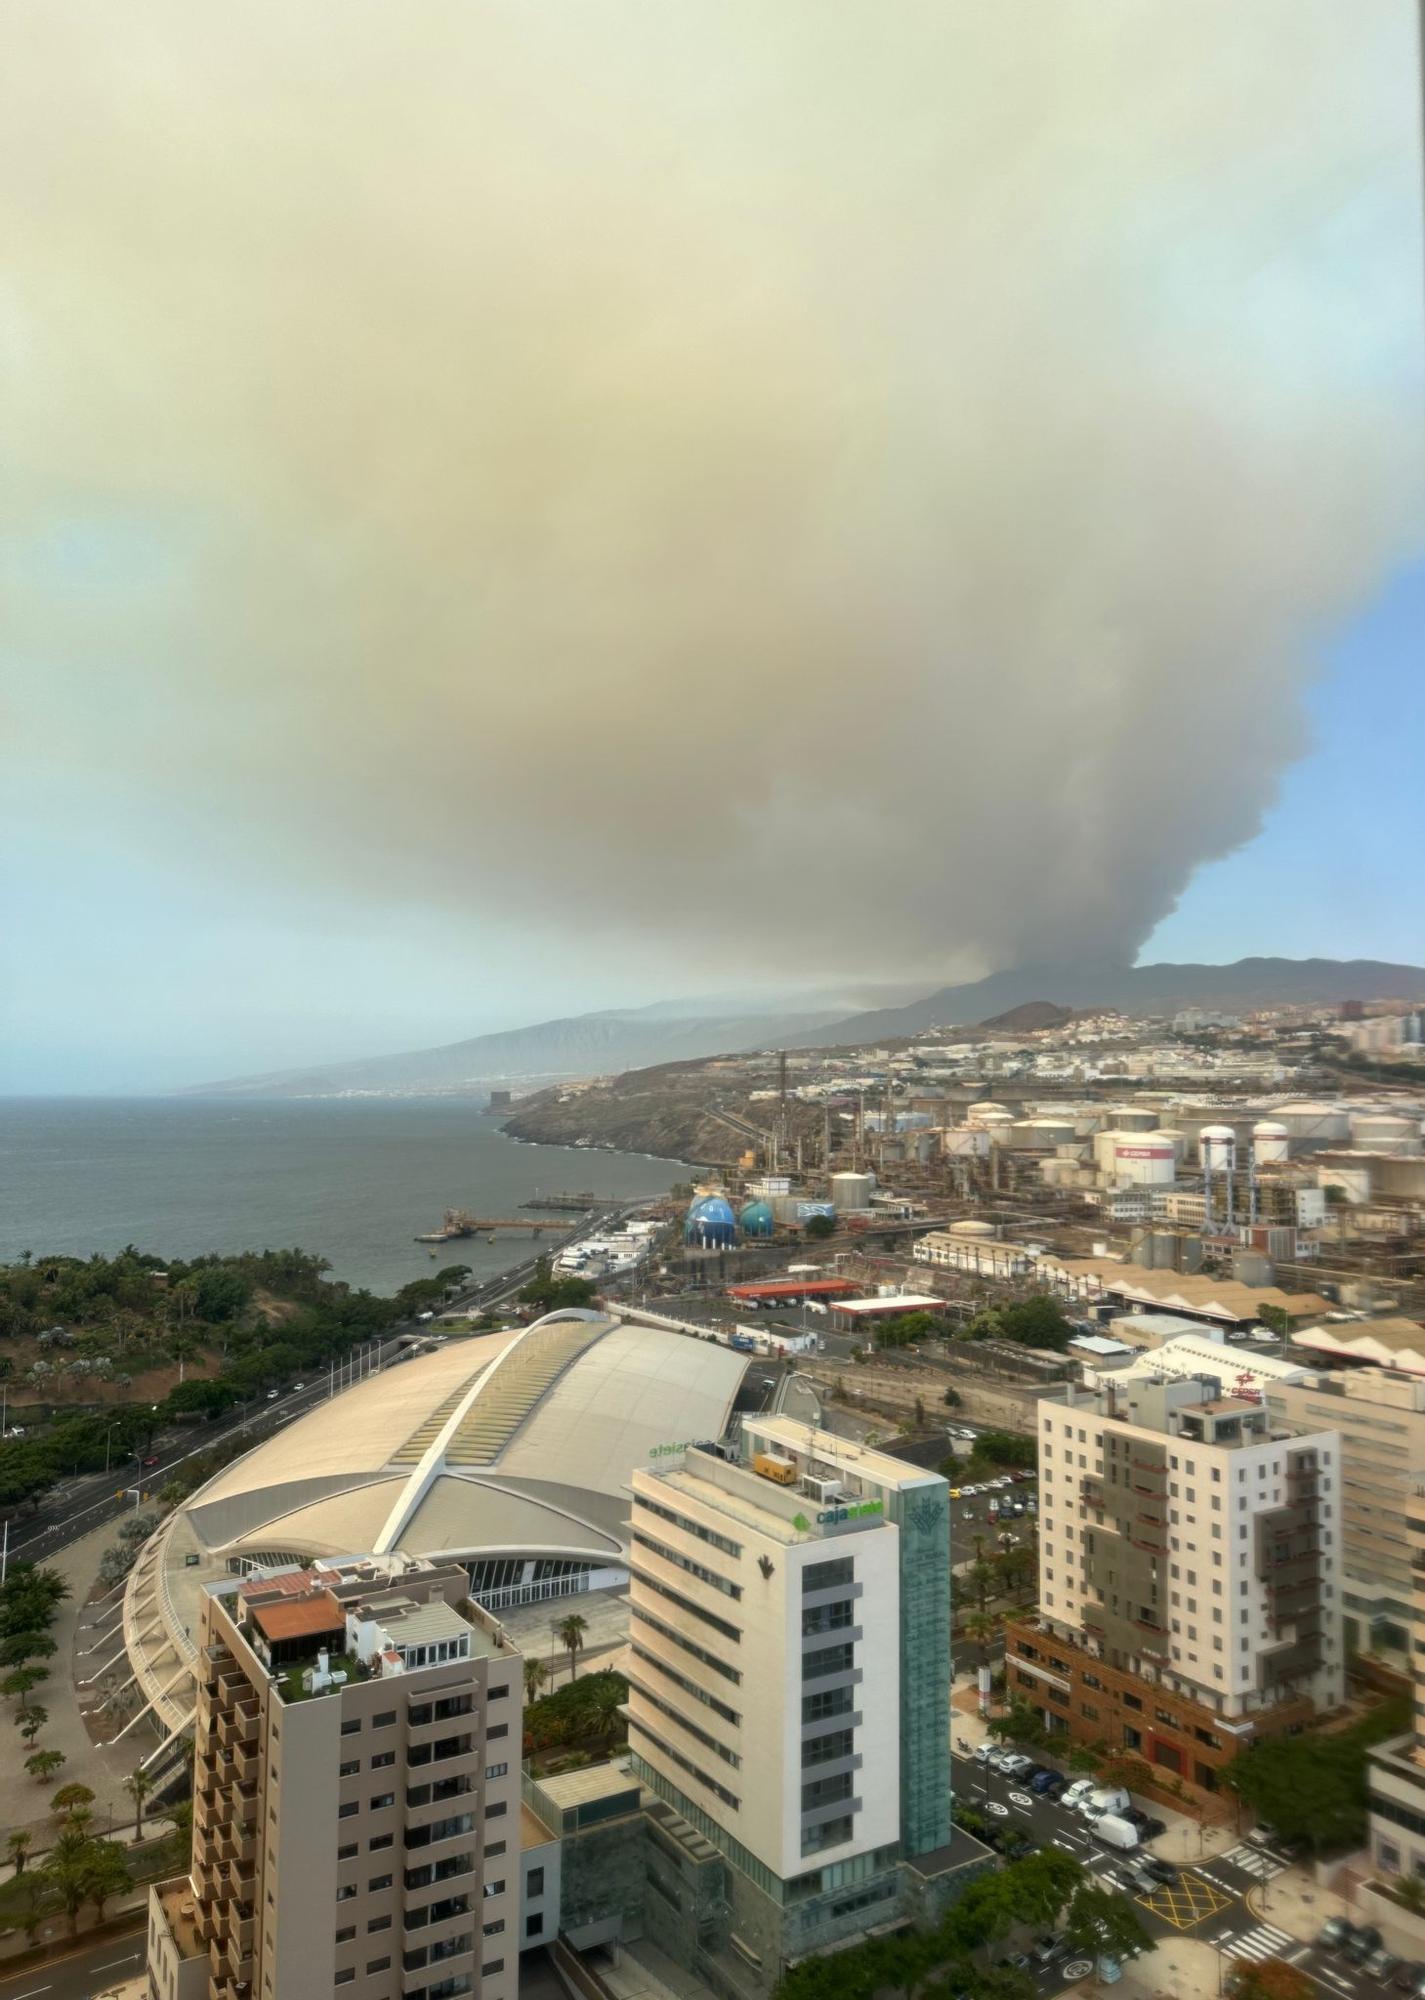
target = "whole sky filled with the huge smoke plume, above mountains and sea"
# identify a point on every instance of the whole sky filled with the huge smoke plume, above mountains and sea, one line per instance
(519, 509)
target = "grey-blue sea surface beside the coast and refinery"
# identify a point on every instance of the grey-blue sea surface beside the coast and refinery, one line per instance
(353, 1181)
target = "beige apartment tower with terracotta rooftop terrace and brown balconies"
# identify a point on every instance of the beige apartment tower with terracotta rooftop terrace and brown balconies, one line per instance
(357, 1793)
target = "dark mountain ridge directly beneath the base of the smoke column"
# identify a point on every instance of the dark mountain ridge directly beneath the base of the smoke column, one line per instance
(1162, 989)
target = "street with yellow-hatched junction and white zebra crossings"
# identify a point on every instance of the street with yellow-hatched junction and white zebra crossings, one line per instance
(1208, 1901)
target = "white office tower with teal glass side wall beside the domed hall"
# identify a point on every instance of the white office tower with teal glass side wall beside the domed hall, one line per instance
(790, 1685)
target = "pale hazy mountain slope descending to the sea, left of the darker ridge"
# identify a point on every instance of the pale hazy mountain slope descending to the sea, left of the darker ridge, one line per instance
(583, 1045)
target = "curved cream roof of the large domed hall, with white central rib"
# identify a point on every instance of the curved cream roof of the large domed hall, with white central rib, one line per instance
(511, 1443)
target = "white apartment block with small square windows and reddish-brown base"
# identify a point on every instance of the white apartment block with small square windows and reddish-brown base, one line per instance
(1188, 1573)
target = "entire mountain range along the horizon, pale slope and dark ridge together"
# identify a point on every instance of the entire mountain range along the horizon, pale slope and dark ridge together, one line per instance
(627, 1039)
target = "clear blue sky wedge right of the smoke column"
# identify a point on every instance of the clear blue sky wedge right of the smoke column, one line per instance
(1338, 869)
